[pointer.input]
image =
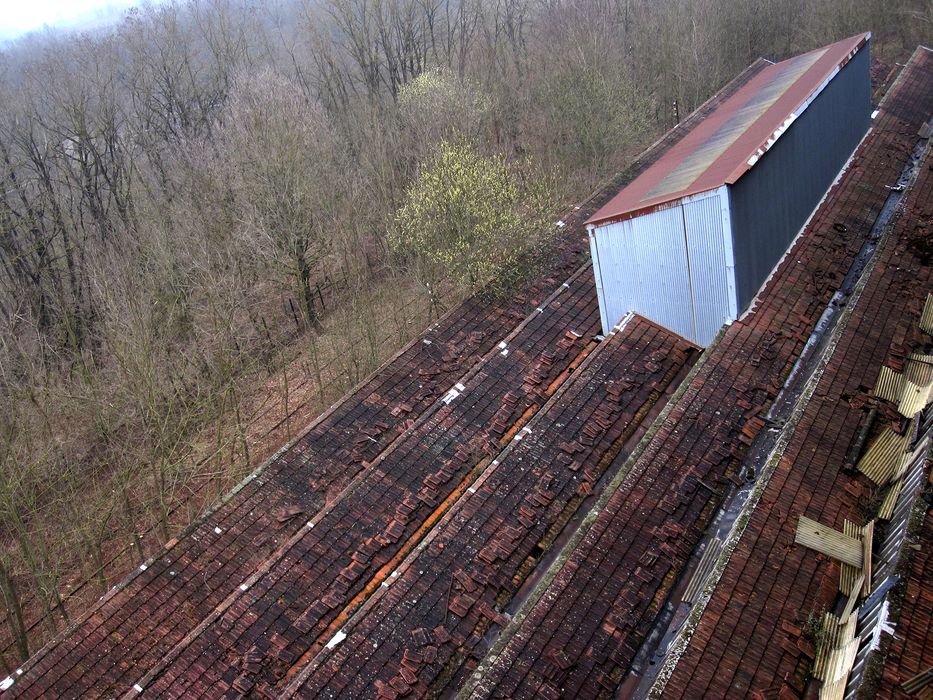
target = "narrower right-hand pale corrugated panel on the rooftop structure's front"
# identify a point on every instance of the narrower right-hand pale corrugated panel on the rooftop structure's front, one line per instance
(708, 266)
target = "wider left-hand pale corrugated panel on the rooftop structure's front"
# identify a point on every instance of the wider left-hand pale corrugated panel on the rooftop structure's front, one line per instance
(643, 266)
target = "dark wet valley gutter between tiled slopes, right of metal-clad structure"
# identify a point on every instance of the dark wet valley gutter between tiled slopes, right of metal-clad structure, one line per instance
(782, 418)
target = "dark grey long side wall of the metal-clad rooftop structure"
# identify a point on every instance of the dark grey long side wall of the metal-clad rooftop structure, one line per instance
(772, 201)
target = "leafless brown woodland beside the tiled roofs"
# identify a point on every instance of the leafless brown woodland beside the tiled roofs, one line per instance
(206, 216)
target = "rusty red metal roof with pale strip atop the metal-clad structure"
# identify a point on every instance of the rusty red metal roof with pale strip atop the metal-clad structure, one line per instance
(732, 139)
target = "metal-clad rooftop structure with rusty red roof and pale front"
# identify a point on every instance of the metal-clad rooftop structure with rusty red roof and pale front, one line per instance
(691, 240)
